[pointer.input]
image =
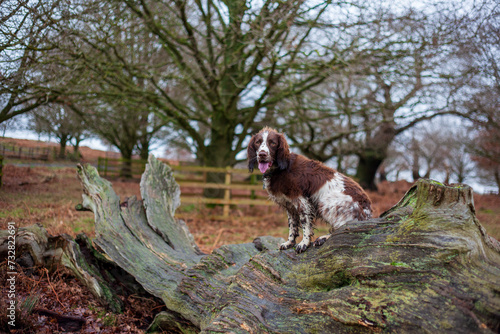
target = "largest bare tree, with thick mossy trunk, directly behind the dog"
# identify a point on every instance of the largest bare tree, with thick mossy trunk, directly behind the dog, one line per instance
(222, 66)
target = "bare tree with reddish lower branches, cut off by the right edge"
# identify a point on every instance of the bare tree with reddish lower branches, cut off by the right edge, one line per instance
(480, 55)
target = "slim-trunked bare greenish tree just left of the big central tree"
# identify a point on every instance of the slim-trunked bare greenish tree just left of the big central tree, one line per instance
(104, 54)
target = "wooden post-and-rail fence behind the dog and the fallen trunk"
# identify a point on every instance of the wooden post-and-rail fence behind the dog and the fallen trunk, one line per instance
(240, 187)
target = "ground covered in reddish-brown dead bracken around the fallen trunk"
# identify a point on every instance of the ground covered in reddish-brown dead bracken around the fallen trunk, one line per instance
(48, 195)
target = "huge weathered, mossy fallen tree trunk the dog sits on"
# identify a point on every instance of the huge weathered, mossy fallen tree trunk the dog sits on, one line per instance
(426, 265)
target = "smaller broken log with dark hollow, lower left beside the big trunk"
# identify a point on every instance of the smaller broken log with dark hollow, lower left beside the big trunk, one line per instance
(104, 279)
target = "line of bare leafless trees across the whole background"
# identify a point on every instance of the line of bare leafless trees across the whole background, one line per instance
(357, 84)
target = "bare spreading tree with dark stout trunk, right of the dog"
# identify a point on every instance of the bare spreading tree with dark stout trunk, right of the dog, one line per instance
(402, 76)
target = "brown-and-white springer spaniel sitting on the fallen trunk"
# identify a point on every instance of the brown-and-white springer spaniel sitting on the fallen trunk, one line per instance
(305, 188)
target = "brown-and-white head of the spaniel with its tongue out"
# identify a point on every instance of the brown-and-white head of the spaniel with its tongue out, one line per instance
(269, 150)
